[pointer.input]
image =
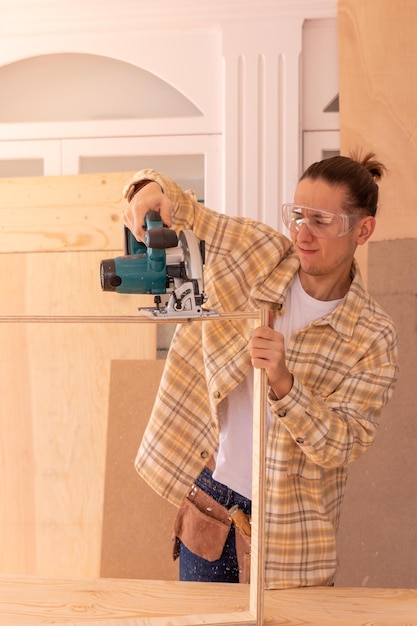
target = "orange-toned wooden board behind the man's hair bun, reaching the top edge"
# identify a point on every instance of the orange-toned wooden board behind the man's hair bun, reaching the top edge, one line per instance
(378, 100)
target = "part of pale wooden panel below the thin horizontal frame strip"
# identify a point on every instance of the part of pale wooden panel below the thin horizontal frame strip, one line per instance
(53, 406)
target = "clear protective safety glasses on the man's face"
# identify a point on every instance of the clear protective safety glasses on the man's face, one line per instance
(321, 224)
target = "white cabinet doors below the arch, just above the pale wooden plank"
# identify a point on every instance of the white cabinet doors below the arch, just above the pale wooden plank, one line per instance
(189, 159)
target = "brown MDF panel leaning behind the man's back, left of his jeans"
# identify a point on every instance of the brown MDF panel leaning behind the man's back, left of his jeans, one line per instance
(137, 522)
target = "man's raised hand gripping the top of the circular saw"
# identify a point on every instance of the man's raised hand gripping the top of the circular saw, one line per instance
(149, 198)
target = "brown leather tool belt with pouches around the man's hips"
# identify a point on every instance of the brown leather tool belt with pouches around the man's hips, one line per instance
(203, 525)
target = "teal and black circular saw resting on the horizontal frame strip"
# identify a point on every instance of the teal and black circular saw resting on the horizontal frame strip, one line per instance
(166, 263)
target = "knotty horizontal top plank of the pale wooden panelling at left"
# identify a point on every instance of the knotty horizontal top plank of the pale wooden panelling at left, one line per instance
(62, 213)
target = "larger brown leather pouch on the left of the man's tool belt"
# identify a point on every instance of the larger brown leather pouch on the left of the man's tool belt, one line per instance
(202, 524)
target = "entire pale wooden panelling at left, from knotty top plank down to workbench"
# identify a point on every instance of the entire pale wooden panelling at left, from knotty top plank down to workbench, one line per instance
(54, 375)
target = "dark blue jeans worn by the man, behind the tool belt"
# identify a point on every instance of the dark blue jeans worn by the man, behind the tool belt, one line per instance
(225, 569)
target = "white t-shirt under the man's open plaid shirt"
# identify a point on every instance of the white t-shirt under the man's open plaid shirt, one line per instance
(234, 454)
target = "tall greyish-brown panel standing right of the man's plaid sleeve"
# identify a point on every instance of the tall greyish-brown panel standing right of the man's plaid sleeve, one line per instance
(378, 537)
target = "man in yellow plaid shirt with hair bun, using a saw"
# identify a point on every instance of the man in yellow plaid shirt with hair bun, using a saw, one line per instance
(329, 353)
